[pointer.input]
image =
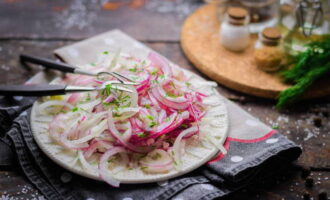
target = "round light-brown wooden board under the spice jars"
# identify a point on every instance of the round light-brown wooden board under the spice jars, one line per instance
(200, 42)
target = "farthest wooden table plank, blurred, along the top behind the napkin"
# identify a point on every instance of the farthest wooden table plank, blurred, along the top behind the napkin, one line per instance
(157, 20)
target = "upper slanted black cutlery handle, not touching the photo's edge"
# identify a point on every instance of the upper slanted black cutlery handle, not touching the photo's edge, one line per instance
(47, 63)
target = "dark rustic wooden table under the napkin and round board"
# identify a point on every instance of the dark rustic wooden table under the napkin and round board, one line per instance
(38, 27)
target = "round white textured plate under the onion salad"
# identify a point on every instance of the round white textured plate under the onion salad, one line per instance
(215, 122)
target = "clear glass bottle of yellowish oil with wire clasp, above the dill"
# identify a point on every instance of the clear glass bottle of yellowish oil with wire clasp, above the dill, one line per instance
(309, 21)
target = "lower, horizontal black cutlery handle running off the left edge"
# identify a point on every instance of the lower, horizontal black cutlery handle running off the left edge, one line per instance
(31, 90)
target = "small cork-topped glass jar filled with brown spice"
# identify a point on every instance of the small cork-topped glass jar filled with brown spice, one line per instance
(269, 53)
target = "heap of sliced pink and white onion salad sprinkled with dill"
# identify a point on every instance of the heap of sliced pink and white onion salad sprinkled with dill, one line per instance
(147, 129)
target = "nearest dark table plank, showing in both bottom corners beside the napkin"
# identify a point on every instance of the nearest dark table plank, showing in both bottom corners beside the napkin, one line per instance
(287, 187)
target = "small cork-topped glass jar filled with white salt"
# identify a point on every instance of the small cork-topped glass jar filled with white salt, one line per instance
(234, 30)
